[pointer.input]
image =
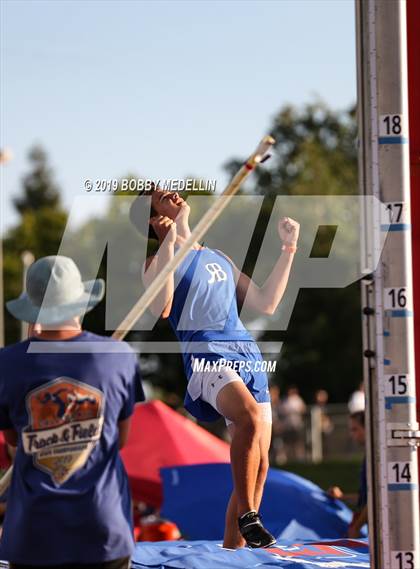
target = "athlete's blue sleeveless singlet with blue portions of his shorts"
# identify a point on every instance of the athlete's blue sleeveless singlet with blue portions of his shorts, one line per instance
(205, 319)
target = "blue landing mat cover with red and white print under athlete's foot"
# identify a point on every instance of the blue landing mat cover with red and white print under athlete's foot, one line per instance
(344, 554)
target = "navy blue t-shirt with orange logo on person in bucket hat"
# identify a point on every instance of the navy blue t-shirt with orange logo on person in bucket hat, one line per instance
(69, 500)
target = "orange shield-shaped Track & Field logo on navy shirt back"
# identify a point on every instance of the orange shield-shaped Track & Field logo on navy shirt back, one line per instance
(65, 423)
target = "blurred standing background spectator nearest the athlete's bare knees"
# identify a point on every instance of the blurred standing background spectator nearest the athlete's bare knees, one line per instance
(294, 408)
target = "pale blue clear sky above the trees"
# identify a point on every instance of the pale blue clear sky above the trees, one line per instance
(161, 89)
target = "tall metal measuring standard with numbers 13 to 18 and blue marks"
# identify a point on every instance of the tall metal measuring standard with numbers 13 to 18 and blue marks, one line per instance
(388, 333)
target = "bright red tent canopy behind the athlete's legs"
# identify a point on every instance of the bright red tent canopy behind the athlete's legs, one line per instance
(161, 437)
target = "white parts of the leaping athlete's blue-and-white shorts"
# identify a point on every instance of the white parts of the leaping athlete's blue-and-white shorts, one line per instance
(207, 385)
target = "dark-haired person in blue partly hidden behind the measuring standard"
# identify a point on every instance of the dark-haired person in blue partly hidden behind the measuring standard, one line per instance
(358, 434)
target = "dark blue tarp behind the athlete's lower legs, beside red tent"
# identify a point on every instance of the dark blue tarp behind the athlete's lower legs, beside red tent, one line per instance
(195, 498)
